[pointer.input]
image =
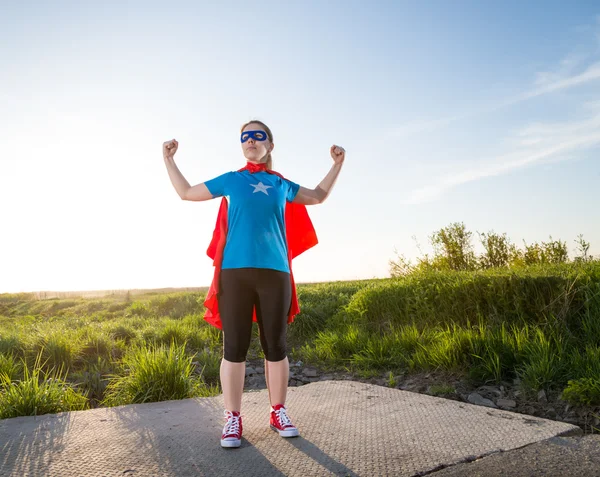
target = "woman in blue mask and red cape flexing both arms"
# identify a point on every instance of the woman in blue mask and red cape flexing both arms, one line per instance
(253, 279)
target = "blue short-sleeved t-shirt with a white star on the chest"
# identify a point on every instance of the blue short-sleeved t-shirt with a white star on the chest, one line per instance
(256, 218)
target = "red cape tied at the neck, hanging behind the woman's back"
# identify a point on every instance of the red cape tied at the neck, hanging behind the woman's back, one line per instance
(300, 236)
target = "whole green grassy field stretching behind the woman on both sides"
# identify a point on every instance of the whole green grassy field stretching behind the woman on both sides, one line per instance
(537, 326)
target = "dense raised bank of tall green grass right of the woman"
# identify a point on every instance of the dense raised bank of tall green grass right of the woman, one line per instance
(532, 325)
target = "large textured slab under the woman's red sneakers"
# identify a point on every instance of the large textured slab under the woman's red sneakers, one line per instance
(347, 429)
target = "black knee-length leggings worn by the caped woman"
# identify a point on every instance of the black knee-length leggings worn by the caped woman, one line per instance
(240, 290)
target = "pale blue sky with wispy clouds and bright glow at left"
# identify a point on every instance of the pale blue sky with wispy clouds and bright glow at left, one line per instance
(485, 113)
